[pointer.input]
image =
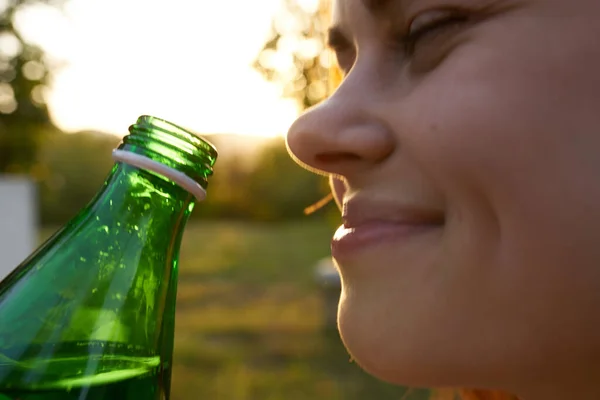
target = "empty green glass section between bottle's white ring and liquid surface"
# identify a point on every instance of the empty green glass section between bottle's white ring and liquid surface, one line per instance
(111, 270)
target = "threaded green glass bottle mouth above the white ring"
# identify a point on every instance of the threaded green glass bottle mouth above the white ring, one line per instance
(173, 146)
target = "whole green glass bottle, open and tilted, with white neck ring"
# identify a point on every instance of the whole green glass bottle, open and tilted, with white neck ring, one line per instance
(91, 314)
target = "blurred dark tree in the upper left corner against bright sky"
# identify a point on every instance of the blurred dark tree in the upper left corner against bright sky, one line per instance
(24, 73)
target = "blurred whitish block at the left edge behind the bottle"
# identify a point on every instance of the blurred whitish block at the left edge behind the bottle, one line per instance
(18, 221)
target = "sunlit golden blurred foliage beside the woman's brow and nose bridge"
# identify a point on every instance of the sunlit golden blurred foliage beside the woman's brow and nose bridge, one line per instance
(295, 55)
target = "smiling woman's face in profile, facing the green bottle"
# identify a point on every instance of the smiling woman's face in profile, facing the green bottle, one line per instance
(464, 146)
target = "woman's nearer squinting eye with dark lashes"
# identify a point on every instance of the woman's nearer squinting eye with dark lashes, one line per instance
(429, 23)
